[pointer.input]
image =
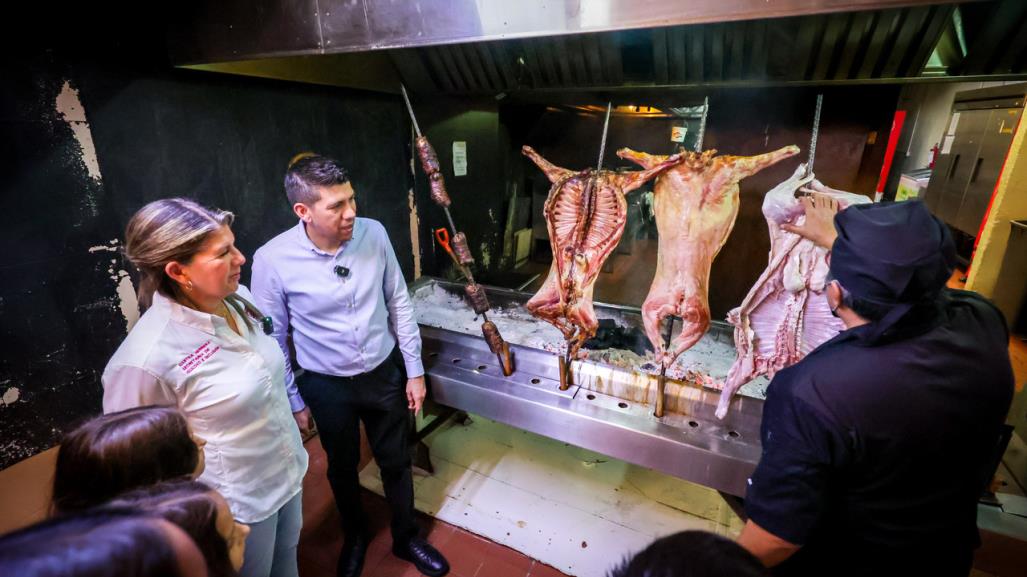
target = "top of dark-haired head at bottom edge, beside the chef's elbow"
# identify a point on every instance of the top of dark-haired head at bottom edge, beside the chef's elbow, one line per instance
(693, 554)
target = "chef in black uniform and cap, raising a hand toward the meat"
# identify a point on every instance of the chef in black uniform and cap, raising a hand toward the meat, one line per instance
(878, 445)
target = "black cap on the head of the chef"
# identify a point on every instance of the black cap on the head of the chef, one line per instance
(892, 253)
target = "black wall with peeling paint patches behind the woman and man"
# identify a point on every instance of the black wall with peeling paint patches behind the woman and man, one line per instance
(158, 133)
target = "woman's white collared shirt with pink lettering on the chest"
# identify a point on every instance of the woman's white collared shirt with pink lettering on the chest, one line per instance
(233, 392)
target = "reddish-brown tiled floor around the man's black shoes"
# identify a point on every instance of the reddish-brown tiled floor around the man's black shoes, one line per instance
(321, 543)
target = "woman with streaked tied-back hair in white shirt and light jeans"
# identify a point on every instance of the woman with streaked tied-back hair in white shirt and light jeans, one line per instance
(202, 347)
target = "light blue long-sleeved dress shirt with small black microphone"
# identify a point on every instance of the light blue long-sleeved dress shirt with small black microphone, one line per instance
(340, 326)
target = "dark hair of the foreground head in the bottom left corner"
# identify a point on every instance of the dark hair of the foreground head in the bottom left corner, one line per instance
(97, 544)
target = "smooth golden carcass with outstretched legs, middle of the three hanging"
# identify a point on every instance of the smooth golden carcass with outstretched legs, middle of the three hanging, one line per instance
(696, 204)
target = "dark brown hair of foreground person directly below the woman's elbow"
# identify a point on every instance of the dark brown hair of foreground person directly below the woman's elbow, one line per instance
(115, 453)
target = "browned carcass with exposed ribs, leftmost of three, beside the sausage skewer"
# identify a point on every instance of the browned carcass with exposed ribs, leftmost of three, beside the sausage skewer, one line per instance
(586, 213)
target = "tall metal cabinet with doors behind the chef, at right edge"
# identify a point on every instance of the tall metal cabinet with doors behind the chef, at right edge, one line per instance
(966, 176)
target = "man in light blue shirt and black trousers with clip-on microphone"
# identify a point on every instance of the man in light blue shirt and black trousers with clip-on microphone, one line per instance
(334, 285)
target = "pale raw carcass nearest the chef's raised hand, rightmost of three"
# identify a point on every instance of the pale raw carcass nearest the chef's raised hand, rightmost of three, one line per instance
(786, 314)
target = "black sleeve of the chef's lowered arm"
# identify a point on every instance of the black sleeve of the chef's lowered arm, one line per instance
(803, 450)
